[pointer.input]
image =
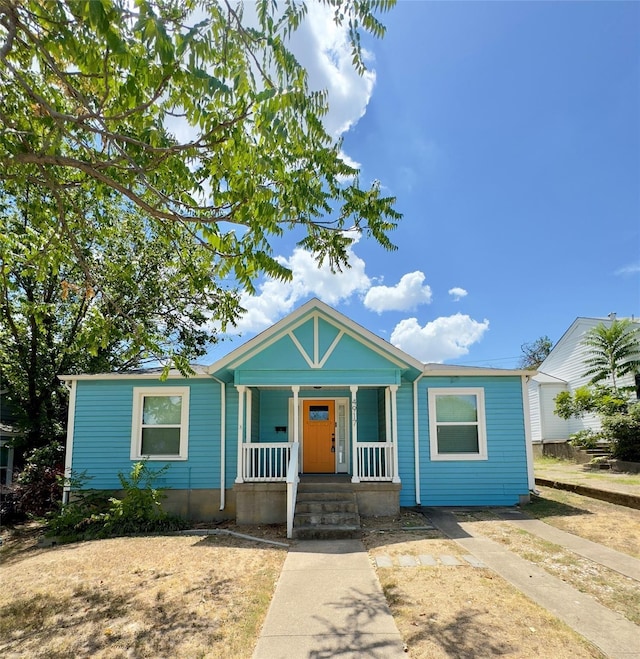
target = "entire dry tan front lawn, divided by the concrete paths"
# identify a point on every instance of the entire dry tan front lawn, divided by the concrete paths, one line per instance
(207, 597)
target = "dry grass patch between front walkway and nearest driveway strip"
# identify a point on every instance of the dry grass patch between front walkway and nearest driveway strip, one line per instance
(463, 612)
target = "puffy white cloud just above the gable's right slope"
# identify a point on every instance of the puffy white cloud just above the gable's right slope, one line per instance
(441, 339)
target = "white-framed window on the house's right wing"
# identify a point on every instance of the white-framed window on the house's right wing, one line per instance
(457, 424)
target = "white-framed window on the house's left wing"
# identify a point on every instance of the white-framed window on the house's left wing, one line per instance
(160, 423)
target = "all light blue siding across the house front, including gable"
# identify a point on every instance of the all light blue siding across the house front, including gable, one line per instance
(103, 417)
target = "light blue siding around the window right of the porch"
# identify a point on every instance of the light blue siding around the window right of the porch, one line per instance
(496, 481)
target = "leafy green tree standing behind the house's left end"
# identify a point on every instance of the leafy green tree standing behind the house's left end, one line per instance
(133, 294)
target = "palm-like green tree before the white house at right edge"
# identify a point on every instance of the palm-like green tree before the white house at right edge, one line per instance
(613, 351)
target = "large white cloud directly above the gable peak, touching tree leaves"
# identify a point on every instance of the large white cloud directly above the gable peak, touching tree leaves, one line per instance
(276, 298)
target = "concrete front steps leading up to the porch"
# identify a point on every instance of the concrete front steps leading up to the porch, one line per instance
(326, 509)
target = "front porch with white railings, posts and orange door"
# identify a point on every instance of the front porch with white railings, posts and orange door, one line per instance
(359, 425)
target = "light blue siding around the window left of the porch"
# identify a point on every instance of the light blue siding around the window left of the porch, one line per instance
(102, 434)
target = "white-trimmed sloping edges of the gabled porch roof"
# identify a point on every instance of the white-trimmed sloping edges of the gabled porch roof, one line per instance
(315, 307)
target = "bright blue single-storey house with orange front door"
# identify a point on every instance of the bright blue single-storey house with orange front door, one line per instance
(315, 394)
